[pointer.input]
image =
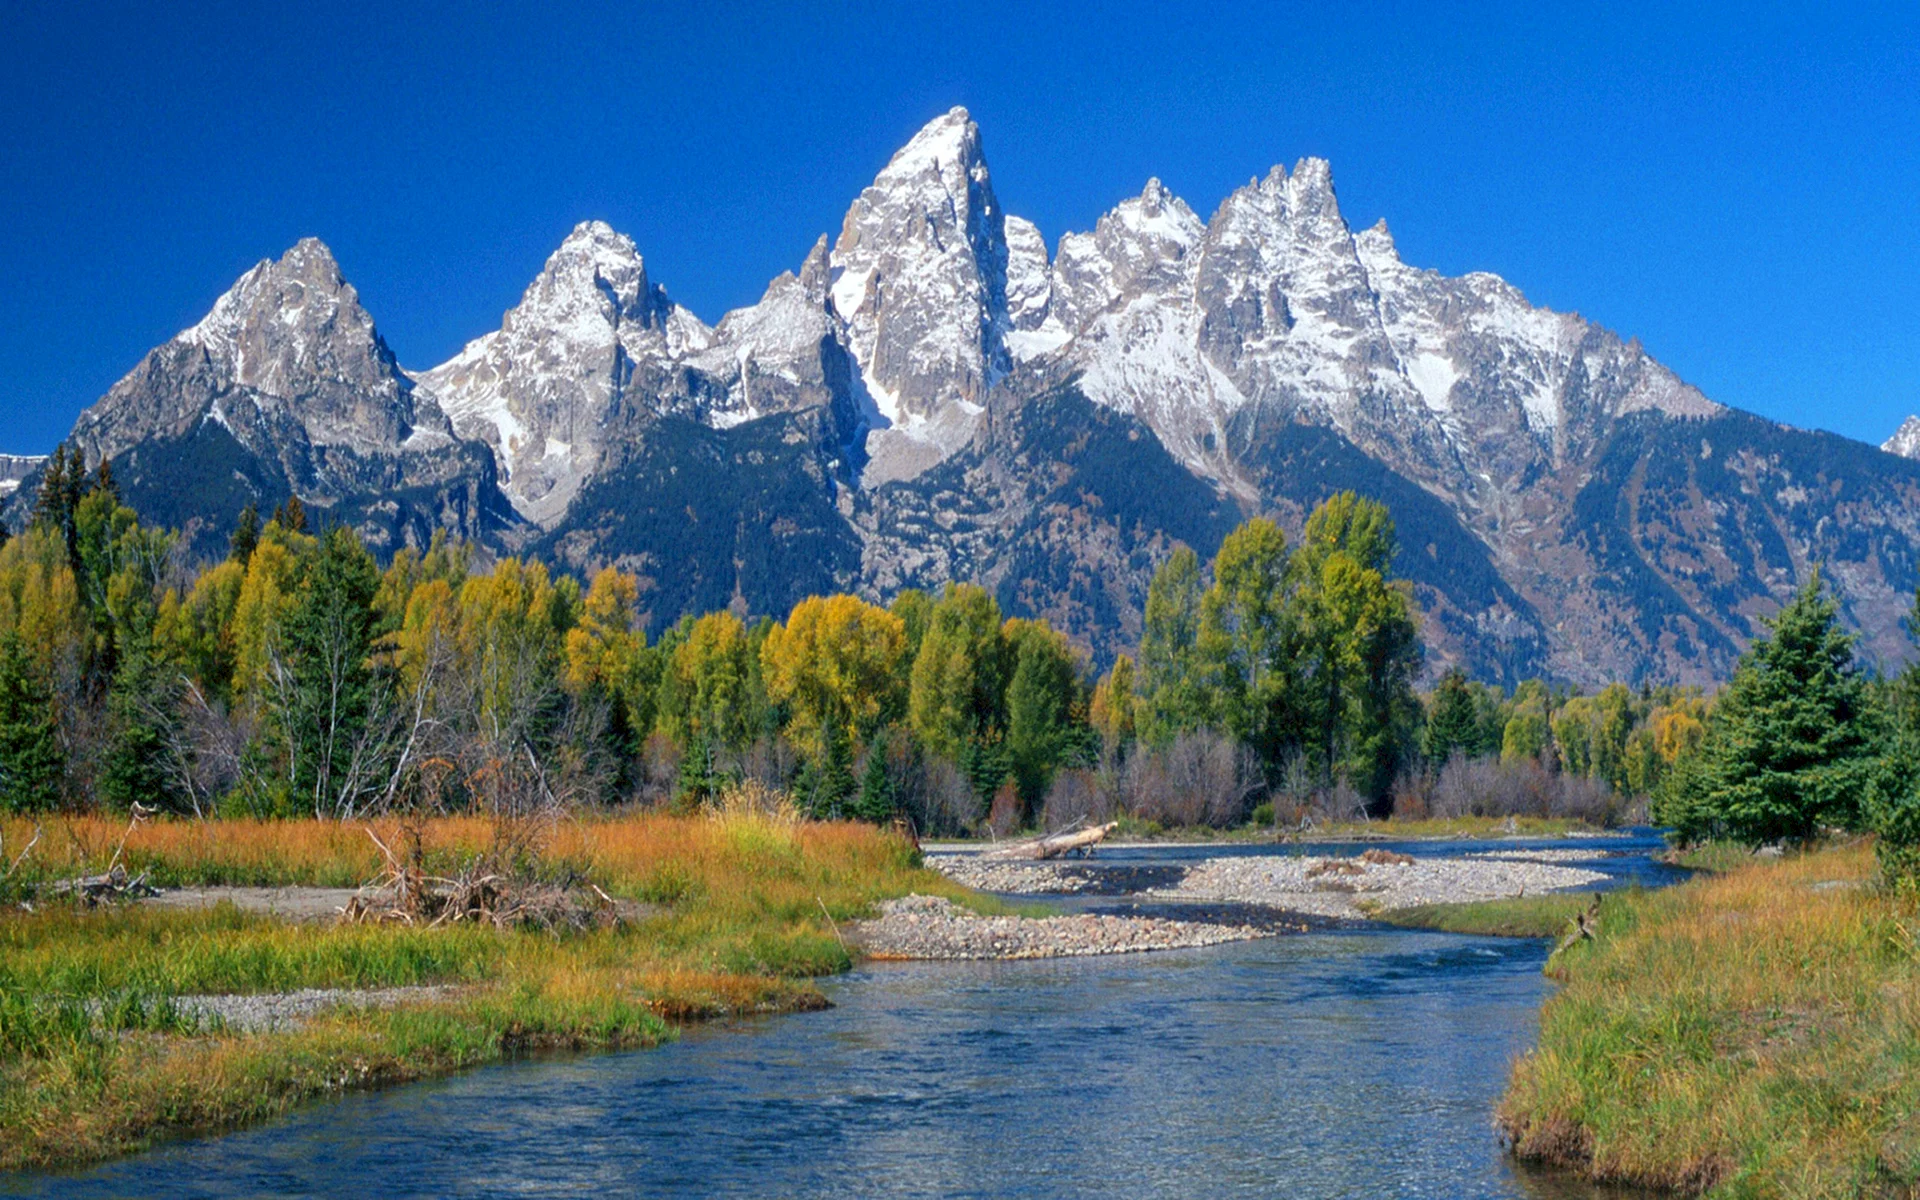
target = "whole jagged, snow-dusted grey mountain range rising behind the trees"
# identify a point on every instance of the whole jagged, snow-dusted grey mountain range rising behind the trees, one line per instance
(936, 396)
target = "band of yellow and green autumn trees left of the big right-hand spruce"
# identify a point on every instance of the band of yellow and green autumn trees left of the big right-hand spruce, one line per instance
(299, 677)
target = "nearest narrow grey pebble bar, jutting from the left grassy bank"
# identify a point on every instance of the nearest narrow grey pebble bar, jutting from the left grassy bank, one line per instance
(938, 928)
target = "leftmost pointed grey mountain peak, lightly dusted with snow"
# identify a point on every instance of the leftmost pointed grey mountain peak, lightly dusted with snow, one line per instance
(287, 389)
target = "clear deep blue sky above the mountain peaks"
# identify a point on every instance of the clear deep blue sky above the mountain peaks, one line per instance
(1737, 187)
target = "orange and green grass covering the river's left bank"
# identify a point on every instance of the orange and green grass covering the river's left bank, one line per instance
(95, 1061)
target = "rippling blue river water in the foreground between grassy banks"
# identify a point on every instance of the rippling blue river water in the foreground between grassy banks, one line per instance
(1355, 1063)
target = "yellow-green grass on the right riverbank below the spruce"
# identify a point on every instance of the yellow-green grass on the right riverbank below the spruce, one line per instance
(1746, 1034)
